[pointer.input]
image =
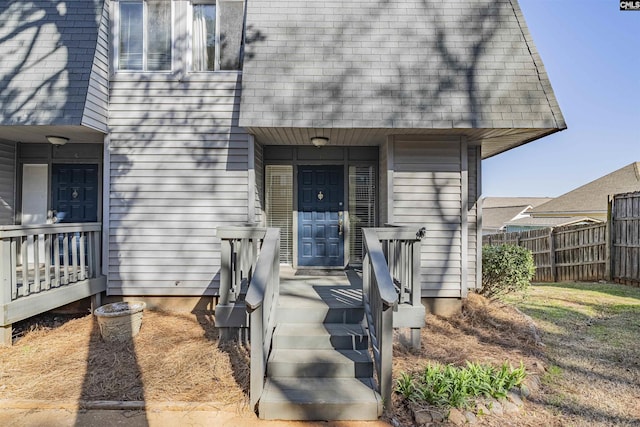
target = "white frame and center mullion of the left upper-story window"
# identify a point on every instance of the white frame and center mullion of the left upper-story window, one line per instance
(116, 40)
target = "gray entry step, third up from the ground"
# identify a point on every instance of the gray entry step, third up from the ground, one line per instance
(320, 336)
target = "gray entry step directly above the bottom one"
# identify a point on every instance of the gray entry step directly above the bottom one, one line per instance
(319, 363)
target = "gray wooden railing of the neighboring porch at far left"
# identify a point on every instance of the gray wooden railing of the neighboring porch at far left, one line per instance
(46, 266)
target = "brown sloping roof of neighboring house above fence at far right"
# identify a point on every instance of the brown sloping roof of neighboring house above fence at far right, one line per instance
(592, 198)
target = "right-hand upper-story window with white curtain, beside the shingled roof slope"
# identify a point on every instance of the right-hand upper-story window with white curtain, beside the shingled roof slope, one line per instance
(216, 35)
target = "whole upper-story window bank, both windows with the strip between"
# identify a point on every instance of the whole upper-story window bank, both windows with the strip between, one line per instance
(178, 36)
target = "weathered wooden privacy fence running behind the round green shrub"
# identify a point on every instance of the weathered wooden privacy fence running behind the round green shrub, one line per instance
(591, 252)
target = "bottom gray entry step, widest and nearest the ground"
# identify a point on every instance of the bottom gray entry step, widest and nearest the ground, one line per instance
(320, 399)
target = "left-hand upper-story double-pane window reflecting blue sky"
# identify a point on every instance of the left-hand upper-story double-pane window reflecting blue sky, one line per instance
(144, 37)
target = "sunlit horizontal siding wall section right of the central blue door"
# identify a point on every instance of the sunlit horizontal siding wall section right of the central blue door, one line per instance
(427, 192)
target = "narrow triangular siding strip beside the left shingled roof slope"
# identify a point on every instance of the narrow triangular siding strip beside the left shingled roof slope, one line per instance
(96, 107)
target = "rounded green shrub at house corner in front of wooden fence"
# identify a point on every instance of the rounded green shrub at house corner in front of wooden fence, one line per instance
(505, 268)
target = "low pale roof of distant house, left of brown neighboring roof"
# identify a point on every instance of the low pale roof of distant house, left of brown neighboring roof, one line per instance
(496, 211)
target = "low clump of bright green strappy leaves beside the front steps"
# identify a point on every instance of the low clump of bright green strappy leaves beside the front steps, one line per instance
(447, 385)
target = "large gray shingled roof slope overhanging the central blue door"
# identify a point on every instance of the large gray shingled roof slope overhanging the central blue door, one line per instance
(357, 72)
